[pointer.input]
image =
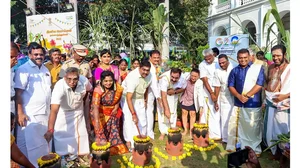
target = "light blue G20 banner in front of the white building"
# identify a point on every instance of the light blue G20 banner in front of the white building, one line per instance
(230, 45)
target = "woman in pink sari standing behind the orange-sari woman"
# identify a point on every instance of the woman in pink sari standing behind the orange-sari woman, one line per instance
(106, 58)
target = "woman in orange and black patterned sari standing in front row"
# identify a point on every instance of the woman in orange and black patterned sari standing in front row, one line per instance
(106, 112)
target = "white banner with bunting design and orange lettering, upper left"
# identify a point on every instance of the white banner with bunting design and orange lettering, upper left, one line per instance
(53, 30)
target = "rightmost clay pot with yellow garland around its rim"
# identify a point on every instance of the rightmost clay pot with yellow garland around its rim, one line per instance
(200, 135)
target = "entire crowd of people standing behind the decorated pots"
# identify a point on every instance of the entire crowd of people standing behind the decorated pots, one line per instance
(63, 106)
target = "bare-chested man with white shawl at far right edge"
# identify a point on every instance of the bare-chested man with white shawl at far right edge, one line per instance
(277, 116)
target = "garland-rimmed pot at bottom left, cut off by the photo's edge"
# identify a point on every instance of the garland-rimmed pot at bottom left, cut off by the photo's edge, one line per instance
(51, 160)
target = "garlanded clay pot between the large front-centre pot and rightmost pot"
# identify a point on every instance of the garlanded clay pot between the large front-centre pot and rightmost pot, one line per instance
(174, 145)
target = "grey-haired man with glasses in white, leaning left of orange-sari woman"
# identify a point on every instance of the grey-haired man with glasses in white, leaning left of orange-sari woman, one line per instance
(66, 121)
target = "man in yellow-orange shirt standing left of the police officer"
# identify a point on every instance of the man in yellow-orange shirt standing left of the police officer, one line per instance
(54, 65)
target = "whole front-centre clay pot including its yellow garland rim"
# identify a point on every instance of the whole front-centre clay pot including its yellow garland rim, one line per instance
(142, 152)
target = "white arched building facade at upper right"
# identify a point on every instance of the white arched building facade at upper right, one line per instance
(254, 12)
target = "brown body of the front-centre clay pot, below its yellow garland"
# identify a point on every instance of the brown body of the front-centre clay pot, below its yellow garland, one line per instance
(142, 153)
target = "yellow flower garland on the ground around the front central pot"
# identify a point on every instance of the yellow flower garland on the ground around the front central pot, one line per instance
(132, 165)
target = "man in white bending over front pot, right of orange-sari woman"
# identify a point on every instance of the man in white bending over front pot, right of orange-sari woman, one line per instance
(135, 91)
